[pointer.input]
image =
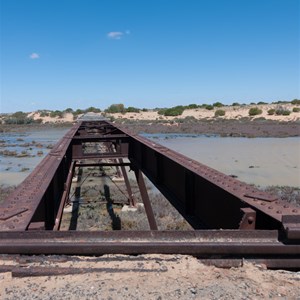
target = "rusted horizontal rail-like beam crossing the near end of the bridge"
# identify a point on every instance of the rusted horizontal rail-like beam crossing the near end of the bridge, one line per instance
(227, 243)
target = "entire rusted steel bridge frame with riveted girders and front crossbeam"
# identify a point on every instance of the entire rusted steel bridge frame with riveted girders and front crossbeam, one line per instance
(216, 205)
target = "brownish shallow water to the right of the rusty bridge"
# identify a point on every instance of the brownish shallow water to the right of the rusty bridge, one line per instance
(260, 161)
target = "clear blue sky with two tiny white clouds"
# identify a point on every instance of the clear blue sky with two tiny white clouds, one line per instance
(57, 54)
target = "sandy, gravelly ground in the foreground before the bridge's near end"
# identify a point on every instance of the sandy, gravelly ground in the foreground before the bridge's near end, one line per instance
(150, 277)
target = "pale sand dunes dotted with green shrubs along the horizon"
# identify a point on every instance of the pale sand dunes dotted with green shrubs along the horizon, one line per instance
(231, 112)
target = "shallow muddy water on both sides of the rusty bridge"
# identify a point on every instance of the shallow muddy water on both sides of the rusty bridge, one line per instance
(261, 161)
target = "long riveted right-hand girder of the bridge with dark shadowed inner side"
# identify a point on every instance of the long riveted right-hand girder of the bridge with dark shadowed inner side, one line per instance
(202, 193)
